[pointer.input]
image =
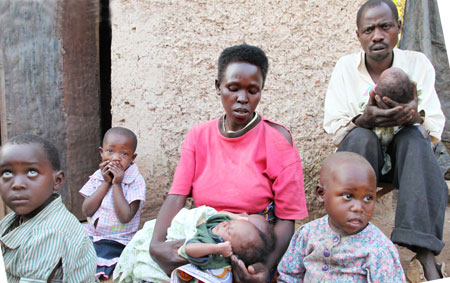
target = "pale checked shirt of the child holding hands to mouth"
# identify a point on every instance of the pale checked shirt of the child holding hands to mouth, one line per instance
(108, 225)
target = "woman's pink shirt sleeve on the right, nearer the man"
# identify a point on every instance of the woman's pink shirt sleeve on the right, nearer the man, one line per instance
(289, 193)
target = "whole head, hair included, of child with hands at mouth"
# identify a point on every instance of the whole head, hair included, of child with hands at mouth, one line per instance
(119, 145)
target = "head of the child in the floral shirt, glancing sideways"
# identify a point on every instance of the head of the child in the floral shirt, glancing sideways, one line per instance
(348, 190)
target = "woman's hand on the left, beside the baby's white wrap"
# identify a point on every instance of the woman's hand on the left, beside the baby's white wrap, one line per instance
(166, 255)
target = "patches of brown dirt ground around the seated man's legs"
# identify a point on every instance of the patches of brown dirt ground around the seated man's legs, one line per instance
(384, 219)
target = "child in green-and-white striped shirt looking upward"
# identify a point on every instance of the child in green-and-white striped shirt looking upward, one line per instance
(41, 240)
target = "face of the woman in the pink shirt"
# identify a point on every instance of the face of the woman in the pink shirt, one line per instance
(240, 90)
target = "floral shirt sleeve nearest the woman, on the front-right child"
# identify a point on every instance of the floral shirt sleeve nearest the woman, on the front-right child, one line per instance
(291, 267)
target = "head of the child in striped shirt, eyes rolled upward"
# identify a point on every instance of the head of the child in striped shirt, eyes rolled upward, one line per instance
(30, 173)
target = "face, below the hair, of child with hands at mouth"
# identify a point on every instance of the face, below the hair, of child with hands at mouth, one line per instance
(119, 149)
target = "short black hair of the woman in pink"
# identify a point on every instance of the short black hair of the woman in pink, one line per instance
(243, 53)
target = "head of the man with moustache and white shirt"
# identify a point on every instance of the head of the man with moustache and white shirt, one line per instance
(378, 32)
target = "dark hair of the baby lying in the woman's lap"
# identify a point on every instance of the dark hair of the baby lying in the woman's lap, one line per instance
(251, 253)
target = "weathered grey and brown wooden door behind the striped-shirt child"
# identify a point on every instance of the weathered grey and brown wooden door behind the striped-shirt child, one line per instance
(49, 82)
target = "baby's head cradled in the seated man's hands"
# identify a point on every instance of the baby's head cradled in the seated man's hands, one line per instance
(395, 84)
